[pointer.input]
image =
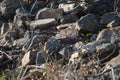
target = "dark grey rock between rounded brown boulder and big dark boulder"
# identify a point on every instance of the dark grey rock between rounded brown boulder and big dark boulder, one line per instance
(70, 18)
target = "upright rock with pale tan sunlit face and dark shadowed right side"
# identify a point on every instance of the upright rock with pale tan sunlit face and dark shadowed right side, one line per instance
(28, 58)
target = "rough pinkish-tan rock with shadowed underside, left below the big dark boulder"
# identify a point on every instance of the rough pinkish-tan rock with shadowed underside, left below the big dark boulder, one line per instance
(68, 35)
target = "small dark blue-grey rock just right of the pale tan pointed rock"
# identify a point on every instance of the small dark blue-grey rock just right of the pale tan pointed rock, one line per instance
(40, 58)
